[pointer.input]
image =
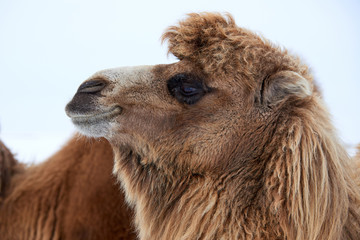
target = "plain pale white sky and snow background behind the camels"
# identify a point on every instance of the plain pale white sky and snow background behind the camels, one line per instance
(47, 48)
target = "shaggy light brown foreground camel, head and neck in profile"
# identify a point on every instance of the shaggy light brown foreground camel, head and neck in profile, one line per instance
(231, 142)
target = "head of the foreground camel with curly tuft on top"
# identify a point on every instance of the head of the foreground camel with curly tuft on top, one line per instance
(208, 109)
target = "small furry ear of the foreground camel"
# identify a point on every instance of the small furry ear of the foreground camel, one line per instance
(279, 87)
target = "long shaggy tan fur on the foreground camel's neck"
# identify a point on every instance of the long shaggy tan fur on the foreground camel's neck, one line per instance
(300, 187)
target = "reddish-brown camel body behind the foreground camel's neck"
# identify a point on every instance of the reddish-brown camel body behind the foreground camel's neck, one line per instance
(72, 195)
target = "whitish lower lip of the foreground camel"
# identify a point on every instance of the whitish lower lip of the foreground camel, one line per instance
(96, 117)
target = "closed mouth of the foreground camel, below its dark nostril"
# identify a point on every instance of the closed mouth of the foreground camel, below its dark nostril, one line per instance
(94, 117)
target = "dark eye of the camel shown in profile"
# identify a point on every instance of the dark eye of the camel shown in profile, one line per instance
(186, 88)
